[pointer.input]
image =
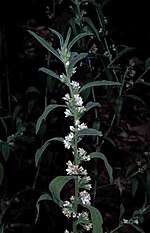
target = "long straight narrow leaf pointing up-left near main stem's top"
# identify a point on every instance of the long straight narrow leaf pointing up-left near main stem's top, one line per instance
(45, 44)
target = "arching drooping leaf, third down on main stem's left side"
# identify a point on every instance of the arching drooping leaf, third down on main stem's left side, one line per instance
(47, 110)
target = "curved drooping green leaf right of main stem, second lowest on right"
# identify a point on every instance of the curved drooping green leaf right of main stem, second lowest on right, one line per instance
(100, 155)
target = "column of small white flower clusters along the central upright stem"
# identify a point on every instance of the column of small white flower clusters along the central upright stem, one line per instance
(75, 109)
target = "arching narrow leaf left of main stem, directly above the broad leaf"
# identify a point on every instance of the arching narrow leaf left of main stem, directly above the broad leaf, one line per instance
(40, 151)
